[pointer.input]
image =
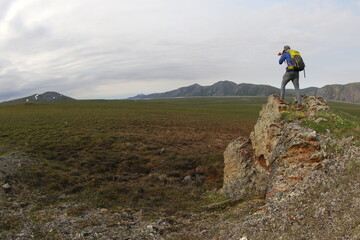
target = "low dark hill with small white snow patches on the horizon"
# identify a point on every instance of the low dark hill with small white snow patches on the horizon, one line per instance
(39, 98)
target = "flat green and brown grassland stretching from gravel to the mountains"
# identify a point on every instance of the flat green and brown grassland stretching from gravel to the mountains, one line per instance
(130, 154)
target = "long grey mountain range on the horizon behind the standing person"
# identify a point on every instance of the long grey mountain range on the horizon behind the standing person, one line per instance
(348, 93)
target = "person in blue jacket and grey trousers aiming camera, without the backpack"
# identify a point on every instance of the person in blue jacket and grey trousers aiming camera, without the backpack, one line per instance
(290, 75)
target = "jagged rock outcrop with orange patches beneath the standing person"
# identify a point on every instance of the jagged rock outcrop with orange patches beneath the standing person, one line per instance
(277, 155)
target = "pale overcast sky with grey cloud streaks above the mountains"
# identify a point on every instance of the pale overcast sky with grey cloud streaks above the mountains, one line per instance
(120, 48)
